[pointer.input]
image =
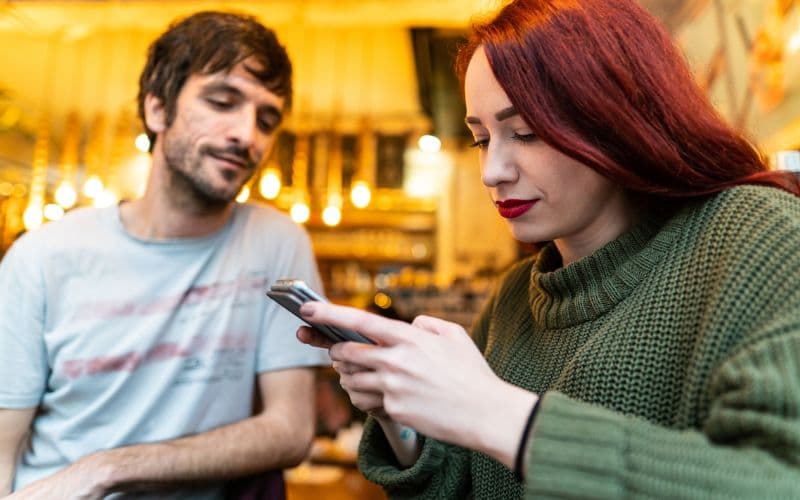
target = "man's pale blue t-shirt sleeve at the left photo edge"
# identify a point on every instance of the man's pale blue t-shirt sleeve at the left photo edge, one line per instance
(23, 358)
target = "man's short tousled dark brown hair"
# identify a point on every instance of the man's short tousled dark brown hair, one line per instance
(206, 43)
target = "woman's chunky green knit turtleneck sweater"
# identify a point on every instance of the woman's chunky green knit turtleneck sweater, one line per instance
(668, 361)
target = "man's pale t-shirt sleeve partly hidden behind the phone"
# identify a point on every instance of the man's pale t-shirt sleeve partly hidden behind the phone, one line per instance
(279, 347)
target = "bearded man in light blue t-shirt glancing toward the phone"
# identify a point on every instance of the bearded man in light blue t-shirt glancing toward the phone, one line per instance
(133, 338)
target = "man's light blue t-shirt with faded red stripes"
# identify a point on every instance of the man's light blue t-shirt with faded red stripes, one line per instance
(121, 341)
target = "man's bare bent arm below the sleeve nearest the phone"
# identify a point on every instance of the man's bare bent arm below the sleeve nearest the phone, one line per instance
(277, 437)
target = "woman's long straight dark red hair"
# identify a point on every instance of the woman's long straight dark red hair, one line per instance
(602, 82)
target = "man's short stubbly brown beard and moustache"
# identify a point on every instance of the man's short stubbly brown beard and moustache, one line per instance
(187, 184)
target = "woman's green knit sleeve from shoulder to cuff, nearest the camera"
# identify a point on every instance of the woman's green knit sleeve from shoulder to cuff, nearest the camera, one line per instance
(746, 443)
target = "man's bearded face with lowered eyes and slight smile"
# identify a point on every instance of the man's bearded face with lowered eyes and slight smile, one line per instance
(224, 124)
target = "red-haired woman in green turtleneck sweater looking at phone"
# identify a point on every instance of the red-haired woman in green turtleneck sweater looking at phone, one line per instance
(652, 347)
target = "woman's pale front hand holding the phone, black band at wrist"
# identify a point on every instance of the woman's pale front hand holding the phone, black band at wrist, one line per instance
(431, 377)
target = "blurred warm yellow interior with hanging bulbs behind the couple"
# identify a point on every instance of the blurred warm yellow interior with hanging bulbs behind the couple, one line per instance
(373, 159)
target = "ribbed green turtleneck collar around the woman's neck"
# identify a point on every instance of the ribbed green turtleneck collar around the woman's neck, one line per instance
(561, 297)
